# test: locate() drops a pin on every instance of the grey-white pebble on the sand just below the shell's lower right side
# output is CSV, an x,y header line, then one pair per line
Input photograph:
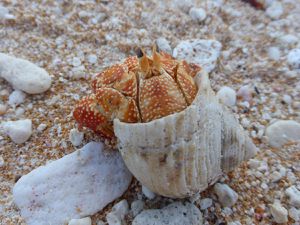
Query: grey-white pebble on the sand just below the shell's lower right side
x,y
226,196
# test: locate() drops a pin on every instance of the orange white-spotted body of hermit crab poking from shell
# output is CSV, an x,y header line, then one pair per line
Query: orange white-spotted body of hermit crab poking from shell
x,y
139,90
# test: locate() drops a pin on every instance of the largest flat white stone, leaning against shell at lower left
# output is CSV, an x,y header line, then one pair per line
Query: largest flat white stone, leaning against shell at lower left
x,y
81,183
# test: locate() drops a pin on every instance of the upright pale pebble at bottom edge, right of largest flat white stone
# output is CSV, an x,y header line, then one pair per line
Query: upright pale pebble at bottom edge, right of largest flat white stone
x,y
116,216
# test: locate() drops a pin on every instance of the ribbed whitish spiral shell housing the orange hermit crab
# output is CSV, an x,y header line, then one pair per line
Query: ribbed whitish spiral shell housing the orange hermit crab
x,y
183,153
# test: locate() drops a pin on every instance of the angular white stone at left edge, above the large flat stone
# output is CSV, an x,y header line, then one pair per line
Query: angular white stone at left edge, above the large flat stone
x,y
19,131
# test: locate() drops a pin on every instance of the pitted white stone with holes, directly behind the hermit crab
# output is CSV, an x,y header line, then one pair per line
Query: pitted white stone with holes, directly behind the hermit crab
x,y
199,51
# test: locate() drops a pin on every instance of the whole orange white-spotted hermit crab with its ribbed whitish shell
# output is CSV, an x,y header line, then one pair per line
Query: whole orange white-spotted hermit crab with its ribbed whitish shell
x,y
172,132
